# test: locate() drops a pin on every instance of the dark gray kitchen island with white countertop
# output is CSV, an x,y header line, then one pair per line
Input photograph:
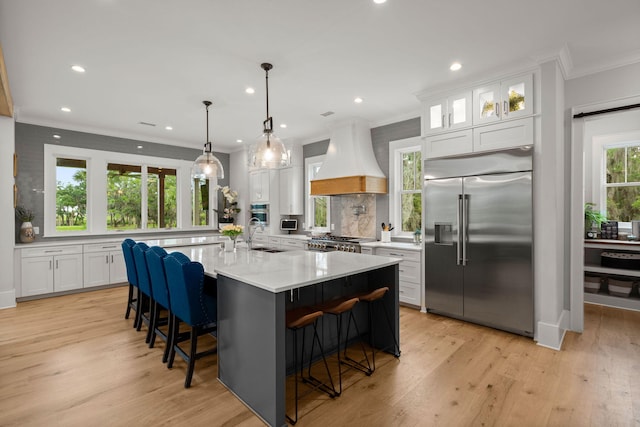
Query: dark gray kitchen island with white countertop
x,y
255,289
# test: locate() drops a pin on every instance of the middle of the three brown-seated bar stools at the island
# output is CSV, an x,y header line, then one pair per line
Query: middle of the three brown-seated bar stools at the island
x,y
338,308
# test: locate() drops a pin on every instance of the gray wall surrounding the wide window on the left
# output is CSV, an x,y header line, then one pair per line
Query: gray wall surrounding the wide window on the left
x,y
30,141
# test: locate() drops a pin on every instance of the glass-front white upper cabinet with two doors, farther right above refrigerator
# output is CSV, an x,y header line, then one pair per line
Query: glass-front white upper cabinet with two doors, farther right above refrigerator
x,y
503,100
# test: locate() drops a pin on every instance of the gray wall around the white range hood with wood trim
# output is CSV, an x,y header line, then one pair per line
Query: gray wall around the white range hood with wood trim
x,y
380,137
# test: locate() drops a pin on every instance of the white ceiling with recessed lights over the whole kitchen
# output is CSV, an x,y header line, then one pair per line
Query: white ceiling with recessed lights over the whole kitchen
x,y
156,60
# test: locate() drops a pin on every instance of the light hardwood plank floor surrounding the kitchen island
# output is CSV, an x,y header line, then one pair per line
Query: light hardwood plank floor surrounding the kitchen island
x,y
75,361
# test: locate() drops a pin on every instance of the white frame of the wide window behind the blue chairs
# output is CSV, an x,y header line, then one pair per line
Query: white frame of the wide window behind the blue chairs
x,y
97,161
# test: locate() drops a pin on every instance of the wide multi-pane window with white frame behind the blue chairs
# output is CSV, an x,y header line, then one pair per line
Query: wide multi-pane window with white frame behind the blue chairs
x,y
97,192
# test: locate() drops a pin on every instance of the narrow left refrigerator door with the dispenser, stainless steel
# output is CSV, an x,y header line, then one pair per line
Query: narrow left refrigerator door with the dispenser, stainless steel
x,y
443,274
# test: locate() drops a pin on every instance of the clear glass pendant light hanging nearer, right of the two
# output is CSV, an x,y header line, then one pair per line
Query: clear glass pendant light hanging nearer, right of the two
x,y
269,151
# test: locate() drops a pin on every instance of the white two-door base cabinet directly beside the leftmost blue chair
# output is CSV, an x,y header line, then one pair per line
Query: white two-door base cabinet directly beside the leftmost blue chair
x,y
103,264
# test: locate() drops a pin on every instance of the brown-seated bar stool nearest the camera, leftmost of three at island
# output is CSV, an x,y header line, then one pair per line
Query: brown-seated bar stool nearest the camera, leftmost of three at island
x,y
297,319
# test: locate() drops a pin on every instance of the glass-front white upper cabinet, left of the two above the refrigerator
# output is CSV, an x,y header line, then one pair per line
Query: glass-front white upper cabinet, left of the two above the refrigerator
x,y
447,113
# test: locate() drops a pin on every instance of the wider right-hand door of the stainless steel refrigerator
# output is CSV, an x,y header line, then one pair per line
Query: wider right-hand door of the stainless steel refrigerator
x,y
498,286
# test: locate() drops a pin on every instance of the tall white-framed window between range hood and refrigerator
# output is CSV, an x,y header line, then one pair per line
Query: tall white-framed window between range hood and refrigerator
x,y
405,197
